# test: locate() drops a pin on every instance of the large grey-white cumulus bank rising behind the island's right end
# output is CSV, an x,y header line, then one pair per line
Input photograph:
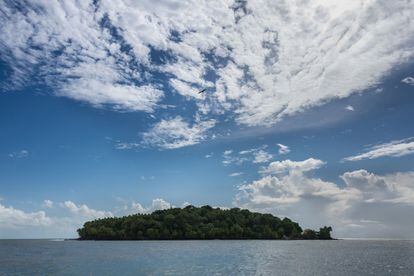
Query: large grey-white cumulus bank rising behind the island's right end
x,y
367,205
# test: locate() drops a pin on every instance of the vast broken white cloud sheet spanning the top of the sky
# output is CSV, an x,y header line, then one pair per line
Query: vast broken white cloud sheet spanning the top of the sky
x,y
270,59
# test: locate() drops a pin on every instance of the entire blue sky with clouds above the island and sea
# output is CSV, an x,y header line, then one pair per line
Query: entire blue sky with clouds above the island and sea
x,y
307,113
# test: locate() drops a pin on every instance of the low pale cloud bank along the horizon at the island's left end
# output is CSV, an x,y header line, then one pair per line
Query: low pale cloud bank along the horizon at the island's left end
x,y
67,217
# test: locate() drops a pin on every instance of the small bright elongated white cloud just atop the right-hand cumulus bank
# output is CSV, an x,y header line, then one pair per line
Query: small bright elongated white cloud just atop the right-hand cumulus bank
x,y
285,166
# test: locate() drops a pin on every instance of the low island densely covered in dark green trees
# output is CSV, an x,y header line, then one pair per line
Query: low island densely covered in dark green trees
x,y
198,223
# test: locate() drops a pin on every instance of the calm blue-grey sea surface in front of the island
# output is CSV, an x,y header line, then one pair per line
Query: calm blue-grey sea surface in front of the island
x,y
342,257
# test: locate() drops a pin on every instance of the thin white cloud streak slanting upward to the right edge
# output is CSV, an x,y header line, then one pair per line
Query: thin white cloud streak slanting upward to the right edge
x,y
395,148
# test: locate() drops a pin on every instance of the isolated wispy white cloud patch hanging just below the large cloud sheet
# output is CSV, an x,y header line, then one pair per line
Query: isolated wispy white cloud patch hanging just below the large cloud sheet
x,y
176,133
